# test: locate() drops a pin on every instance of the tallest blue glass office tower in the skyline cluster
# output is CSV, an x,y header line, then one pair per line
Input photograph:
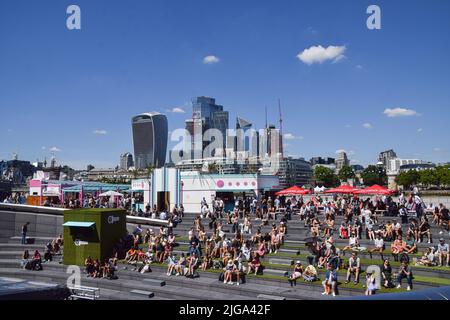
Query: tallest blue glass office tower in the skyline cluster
x,y
206,114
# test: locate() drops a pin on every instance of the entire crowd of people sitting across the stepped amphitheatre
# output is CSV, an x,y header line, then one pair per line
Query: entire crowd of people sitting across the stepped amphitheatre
x,y
235,243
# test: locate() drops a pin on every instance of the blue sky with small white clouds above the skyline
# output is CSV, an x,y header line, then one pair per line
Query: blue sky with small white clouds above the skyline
x,y
76,91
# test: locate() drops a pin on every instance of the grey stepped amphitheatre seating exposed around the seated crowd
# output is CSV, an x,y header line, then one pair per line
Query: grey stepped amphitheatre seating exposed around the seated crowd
x,y
271,285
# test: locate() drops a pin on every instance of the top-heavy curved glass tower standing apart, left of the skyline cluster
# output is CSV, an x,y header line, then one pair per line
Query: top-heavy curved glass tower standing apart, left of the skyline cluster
x,y
150,134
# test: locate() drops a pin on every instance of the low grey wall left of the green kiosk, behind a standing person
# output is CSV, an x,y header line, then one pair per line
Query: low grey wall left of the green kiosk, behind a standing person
x,y
41,225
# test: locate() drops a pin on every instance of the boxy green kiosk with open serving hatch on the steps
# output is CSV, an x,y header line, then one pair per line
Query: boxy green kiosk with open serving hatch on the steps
x,y
92,232
